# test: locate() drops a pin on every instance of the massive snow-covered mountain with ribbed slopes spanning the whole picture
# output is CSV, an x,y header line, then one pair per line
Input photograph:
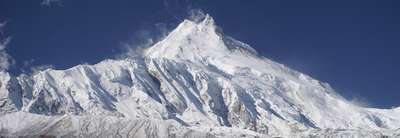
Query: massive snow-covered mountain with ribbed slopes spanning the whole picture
x,y
196,82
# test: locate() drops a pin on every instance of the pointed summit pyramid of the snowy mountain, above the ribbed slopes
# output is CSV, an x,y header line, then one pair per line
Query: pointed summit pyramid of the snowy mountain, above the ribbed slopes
x,y
191,40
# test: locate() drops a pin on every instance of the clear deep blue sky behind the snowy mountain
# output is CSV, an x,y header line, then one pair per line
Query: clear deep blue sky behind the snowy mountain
x,y
352,44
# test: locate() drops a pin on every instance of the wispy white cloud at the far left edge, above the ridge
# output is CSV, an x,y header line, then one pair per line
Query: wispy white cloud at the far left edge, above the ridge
x,y
6,61
